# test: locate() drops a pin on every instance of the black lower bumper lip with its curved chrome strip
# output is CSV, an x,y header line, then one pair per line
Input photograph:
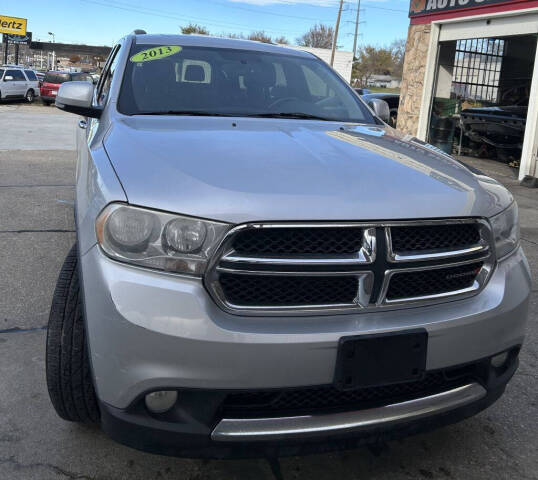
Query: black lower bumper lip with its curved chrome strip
x,y
196,436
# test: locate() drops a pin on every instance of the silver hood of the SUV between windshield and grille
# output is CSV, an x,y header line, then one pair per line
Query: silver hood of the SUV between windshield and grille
x,y
247,169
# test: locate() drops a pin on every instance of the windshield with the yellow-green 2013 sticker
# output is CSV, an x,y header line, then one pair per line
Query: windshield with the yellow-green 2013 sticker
x,y
217,81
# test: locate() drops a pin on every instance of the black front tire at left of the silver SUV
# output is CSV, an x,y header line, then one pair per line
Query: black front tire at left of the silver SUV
x,y
69,377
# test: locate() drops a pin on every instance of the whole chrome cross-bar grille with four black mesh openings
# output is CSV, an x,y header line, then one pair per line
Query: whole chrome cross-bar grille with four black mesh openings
x,y
335,267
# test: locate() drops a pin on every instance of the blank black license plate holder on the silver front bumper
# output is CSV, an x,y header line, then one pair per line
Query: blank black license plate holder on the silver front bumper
x,y
381,359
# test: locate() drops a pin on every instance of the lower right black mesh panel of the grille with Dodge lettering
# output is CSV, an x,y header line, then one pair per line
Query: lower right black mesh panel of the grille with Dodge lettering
x,y
431,282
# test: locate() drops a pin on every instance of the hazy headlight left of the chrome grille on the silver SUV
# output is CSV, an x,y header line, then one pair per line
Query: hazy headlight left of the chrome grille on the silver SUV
x,y
158,240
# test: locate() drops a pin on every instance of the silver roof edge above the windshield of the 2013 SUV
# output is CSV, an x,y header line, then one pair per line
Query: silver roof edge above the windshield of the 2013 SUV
x,y
217,42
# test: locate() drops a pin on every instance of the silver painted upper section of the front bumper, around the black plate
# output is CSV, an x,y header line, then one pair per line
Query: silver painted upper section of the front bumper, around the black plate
x,y
148,331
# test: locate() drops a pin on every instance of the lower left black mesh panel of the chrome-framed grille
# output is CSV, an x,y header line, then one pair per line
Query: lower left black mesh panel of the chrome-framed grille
x,y
269,290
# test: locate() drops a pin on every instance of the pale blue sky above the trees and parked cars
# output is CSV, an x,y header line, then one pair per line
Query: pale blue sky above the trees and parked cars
x,y
103,22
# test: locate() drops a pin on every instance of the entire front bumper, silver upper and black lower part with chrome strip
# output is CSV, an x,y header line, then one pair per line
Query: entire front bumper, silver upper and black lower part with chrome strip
x,y
152,331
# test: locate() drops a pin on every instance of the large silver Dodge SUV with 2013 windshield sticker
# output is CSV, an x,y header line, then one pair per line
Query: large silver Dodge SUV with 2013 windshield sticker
x,y
263,265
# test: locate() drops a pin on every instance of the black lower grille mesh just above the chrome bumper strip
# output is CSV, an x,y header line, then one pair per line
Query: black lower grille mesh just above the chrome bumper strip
x,y
329,397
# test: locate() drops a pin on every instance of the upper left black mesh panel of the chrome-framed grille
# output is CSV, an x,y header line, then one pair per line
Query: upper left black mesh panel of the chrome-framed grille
x,y
292,241
